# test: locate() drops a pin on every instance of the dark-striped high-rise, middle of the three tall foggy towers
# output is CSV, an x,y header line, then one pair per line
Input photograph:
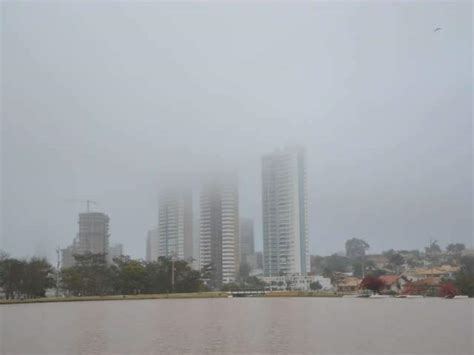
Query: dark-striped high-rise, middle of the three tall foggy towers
x,y
219,229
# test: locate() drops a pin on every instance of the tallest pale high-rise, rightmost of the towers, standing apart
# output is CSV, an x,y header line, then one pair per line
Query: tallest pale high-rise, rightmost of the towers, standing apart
x,y
285,210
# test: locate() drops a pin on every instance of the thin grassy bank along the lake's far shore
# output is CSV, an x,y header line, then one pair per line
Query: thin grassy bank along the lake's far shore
x,y
166,296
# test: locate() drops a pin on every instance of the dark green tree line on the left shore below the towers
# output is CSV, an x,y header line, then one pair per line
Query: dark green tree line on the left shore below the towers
x,y
93,276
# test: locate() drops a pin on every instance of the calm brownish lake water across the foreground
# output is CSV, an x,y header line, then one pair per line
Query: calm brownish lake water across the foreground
x,y
242,325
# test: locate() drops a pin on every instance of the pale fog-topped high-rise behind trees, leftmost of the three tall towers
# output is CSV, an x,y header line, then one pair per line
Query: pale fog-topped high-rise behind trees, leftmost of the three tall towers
x,y
175,225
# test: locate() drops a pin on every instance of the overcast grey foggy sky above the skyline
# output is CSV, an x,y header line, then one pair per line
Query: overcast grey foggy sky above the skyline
x,y
101,99
